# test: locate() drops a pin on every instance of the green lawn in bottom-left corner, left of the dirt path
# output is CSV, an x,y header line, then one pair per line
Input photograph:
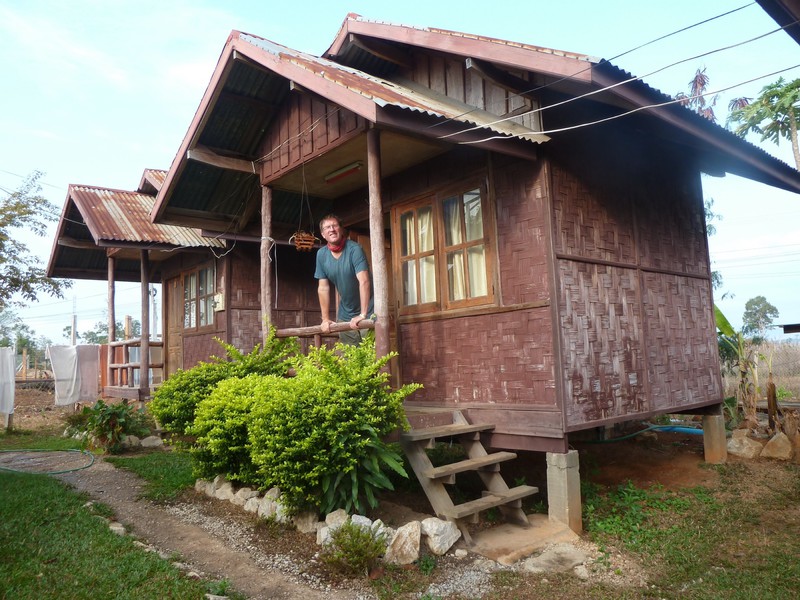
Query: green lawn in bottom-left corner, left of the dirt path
x,y
52,545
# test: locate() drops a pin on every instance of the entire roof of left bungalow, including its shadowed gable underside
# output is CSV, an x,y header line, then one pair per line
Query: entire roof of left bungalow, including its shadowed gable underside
x,y
100,222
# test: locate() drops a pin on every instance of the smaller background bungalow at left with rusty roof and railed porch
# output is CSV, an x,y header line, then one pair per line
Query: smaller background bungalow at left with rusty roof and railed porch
x,y
107,234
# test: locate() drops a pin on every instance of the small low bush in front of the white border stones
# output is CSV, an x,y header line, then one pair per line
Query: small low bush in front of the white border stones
x,y
354,549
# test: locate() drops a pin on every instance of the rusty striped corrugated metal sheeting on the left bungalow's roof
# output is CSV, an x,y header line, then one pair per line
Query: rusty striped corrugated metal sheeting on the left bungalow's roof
x,y
121,216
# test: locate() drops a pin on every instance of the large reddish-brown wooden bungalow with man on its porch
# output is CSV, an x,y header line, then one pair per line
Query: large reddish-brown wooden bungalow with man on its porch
x,y
534,218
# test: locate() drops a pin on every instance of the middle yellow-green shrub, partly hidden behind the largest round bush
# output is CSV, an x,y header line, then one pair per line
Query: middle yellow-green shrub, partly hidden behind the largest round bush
x,y
221,426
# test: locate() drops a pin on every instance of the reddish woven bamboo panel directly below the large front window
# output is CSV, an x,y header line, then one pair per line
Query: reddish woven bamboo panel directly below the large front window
x,y
485,359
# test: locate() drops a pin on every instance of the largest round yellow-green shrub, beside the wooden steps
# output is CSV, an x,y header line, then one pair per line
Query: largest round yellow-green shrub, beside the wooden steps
x,y
319,435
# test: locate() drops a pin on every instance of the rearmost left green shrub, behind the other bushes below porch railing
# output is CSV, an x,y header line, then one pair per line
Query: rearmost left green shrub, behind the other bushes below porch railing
x,y
175,402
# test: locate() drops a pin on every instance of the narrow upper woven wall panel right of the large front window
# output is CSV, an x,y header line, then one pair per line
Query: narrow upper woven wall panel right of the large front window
x,y
522,250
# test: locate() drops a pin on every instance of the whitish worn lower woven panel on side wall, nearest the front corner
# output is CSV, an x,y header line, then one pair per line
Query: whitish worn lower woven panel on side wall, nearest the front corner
x,y
601,325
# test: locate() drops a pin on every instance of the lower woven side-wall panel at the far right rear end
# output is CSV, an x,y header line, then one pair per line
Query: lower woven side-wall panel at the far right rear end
x,y
682,355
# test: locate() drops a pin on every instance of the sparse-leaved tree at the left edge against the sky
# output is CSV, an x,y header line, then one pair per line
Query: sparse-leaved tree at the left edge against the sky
x,y
20,272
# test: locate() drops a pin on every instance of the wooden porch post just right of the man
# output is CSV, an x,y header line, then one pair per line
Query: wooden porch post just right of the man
x,y
380,277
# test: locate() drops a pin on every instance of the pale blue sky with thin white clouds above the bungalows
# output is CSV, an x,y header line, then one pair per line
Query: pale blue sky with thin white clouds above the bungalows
x,y
96,91
